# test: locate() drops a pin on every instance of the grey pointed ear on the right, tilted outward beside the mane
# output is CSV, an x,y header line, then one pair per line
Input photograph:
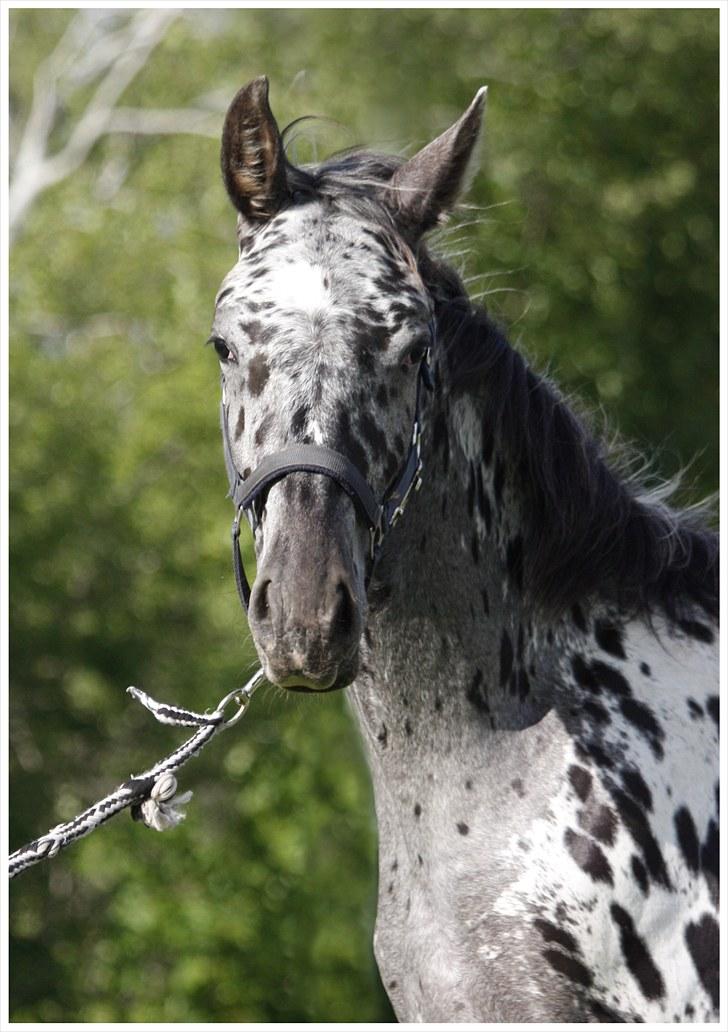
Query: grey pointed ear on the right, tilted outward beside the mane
x,y
426,188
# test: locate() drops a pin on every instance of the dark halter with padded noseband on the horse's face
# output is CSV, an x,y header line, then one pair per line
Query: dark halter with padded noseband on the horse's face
x,y
381,518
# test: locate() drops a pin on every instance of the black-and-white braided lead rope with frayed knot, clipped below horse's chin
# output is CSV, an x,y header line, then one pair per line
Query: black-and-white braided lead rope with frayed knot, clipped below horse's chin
x,y
152,796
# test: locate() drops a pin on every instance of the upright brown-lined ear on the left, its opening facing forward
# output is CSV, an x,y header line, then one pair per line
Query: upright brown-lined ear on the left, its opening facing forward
x,y
255,167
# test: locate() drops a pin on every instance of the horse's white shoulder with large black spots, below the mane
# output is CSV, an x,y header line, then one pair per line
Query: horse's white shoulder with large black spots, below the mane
x,y
625,880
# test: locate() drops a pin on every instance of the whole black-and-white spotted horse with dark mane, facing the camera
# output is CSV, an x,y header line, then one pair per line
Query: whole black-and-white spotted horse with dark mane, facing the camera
x,y
530,651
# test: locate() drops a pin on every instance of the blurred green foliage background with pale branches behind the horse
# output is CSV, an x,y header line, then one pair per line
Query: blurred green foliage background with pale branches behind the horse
x,y
594,239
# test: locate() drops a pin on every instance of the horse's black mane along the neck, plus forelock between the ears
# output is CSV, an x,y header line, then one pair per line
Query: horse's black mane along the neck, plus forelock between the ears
x,y
592,528
